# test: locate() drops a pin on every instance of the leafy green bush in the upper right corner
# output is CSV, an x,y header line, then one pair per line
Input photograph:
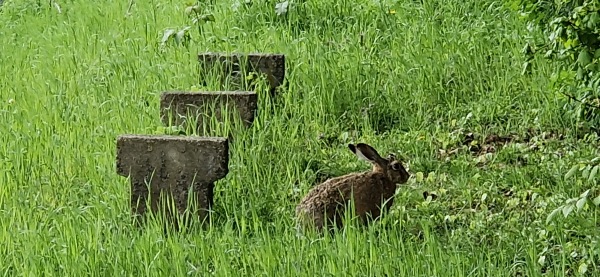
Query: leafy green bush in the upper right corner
x,y
571,30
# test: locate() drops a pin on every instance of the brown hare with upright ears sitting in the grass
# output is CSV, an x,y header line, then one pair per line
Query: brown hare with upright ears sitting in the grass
x,y
327,202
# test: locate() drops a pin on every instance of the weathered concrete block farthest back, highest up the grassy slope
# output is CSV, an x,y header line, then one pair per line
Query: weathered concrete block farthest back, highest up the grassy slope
x,y
235,67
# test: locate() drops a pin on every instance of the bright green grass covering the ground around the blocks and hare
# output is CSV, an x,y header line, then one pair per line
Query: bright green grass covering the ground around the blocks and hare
x,y
412,81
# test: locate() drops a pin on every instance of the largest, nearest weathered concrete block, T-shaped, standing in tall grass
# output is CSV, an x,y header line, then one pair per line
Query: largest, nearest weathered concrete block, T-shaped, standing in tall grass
x,y
169,166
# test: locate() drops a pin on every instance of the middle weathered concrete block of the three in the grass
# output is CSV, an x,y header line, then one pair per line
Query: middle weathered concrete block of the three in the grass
x,y
177,106
